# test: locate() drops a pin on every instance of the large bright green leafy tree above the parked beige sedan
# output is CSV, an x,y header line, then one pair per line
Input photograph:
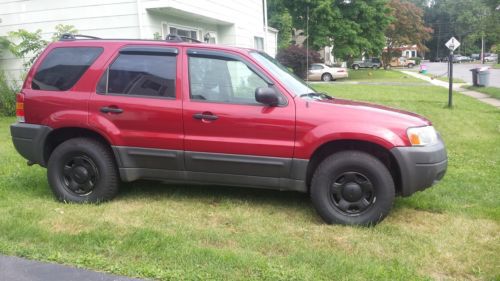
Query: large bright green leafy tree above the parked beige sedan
x,y
352,27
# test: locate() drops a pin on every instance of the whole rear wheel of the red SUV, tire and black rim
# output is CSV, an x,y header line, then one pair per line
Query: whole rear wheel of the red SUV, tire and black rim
x,y
83,170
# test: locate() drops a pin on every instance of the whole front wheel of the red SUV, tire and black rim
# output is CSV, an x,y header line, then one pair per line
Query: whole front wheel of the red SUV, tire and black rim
x,y
352,188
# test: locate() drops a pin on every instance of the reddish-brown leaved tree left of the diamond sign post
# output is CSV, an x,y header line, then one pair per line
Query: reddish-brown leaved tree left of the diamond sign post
x,y
408,28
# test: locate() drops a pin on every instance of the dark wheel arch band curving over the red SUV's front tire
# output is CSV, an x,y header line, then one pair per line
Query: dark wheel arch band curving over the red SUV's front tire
x,y
378,151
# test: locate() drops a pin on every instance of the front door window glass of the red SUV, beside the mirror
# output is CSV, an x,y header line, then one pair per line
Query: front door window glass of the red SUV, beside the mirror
x,y
220,80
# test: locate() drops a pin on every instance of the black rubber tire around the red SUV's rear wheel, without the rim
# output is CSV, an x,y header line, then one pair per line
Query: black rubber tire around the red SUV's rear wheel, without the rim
x,y
106,182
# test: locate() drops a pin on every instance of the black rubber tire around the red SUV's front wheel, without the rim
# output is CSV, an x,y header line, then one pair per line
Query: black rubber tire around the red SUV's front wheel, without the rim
x,y
365,164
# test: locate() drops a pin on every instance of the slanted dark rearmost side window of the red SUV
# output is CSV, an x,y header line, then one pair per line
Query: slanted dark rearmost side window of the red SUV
x,y
63,67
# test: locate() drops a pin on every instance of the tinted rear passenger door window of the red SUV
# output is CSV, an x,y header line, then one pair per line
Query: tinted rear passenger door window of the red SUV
x,y
140,74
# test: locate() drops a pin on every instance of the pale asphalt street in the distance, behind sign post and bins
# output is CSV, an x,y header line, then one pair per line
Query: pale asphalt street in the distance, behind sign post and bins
x,y
462,71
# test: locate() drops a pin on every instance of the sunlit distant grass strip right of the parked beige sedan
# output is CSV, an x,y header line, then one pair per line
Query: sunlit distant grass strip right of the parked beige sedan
x,y
380,76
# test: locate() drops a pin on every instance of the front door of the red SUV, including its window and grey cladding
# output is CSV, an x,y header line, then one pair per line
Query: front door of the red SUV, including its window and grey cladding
x,y
226,130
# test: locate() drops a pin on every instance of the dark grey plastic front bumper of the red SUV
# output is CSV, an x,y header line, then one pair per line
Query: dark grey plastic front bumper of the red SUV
x,y
420,167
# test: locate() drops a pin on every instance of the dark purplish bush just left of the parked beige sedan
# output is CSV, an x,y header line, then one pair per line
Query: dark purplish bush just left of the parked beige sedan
x,y
295,57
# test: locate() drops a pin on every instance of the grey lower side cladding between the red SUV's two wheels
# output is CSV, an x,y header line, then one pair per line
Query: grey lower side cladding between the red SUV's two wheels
x,y
211,168
